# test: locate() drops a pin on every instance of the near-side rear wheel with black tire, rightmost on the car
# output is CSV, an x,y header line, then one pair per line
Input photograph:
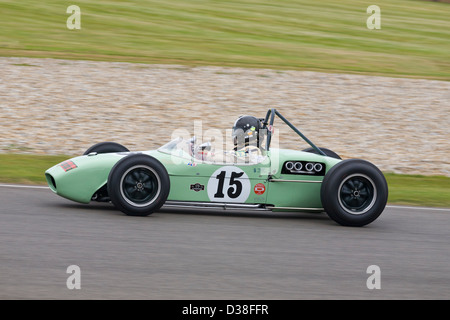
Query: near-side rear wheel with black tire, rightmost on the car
x,y
354,192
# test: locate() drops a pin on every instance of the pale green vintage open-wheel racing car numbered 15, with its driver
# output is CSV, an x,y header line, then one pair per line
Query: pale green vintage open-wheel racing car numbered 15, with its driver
x,y
252,176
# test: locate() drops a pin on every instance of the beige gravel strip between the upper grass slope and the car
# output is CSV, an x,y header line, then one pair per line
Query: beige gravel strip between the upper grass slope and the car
x,y
50,106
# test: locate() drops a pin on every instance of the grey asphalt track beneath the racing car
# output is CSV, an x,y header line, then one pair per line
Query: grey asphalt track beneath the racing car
x,y
215,255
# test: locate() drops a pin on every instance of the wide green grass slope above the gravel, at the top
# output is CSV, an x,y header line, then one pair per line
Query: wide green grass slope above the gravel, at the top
x,y
285,34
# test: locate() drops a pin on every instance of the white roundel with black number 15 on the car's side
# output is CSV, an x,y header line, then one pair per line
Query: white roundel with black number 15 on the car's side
x,y
229,184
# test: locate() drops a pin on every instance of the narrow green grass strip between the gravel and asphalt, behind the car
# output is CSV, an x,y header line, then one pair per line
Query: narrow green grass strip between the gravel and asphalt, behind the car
x,y
403,189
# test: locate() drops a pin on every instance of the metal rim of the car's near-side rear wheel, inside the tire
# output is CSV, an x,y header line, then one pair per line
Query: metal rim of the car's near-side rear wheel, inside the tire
x,y
357,194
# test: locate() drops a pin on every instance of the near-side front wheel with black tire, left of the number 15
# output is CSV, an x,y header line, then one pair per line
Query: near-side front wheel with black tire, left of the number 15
x,y
138,185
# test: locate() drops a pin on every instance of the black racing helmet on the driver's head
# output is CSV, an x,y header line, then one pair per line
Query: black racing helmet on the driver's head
x,y
246,131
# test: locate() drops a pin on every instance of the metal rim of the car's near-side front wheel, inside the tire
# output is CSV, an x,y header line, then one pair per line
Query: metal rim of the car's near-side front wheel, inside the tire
x,y
140,186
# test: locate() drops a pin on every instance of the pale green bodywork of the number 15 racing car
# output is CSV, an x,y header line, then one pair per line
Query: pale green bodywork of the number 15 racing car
x,y
193,180
